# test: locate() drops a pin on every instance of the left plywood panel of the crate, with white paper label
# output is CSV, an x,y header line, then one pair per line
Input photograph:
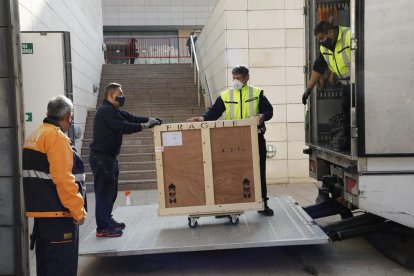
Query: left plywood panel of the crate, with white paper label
x,y
184,172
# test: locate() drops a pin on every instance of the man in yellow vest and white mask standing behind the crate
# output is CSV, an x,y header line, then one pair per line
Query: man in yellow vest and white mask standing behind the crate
x,y
241,102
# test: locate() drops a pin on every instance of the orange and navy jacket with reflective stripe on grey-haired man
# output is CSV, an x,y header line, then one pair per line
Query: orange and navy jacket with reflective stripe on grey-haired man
x,y
53,174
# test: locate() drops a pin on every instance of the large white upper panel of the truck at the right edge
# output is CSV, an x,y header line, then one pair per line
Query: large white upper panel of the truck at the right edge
x,y
385,77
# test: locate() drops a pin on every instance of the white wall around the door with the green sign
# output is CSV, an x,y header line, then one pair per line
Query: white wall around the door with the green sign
x,y
83,19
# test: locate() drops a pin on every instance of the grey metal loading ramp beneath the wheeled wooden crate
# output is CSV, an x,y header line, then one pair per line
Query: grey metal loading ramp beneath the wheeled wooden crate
x,y
148,233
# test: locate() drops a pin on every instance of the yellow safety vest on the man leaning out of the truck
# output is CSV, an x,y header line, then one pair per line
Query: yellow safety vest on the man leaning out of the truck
x,y
340,61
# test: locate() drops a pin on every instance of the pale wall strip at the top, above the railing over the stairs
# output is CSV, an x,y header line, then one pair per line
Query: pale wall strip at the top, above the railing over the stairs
x,y
156,12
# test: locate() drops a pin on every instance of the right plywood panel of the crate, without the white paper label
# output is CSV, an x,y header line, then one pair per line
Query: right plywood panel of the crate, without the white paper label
x,y
231,152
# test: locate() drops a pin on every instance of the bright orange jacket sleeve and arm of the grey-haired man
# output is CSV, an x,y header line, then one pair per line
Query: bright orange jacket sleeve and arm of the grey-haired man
x,y
60,157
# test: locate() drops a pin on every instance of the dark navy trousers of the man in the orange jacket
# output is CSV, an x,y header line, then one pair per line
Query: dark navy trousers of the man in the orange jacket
x,y
57,246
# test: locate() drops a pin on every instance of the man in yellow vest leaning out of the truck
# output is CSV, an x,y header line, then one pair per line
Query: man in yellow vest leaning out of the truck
x,y
336,55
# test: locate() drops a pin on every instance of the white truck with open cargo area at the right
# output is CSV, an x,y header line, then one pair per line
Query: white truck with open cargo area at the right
x,y
376,174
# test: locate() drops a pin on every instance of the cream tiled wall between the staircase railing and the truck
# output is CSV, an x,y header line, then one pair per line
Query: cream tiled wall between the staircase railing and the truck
x,y
268,37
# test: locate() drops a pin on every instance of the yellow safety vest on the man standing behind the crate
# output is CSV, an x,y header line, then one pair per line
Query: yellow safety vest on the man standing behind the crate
x,y
241,104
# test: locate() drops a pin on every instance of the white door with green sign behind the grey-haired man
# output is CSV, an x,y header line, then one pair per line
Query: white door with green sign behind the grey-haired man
x,y
46,66
